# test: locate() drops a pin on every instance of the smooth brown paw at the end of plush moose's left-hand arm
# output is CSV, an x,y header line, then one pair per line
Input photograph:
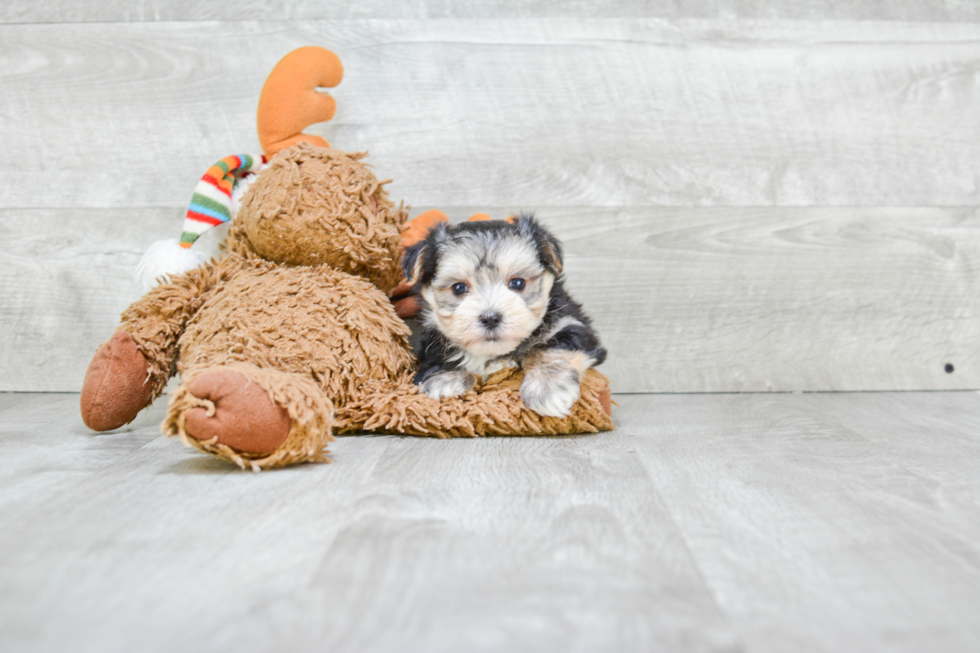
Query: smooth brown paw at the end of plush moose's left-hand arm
x,y
116,384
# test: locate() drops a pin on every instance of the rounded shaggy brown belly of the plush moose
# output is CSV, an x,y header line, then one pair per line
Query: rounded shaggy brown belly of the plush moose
x,y
336,328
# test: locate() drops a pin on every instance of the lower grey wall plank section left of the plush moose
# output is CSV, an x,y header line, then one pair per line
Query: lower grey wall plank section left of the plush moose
x,y
65,279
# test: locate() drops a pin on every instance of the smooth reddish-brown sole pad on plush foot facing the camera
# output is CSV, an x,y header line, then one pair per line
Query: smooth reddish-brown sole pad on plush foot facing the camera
x,y
244,417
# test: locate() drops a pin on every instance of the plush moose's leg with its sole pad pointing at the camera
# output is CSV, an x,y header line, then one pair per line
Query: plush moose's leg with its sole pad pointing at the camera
x,y
257,418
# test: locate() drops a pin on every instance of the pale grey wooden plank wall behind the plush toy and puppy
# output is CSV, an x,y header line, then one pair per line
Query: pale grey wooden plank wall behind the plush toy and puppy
x,y
752,197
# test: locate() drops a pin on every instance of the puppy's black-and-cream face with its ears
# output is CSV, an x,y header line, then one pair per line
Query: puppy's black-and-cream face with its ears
x,y
487,284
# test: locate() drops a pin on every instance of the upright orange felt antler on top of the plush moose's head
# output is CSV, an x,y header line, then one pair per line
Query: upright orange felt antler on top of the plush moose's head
x,y
289,101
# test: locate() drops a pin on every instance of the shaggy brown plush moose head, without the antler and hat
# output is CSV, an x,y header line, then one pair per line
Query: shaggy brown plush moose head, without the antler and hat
x,y
314,206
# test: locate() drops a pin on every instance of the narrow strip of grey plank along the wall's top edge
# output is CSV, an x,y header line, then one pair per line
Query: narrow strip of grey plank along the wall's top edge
x,y
63,11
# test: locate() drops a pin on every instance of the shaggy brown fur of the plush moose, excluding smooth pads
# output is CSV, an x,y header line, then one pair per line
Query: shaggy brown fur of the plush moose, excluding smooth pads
x,y
300,308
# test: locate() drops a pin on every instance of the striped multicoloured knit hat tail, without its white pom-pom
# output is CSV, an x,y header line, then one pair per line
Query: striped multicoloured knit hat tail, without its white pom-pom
x,y
211,203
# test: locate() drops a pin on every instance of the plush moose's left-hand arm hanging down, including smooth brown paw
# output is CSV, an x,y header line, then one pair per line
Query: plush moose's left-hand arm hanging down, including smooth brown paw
x,y
131,370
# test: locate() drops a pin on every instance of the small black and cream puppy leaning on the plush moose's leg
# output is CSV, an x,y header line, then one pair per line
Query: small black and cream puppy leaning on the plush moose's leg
x,y
493,298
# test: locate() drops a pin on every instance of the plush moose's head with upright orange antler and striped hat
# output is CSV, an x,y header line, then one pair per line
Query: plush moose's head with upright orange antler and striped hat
x,y
302,202
